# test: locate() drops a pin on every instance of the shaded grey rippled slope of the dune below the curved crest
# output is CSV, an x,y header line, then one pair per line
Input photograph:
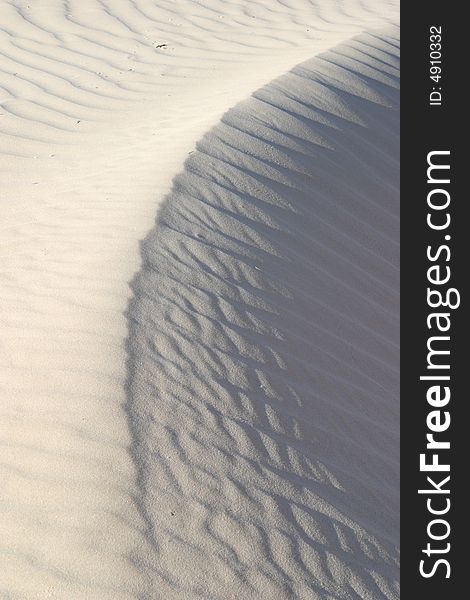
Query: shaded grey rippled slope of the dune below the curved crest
x,y
263,370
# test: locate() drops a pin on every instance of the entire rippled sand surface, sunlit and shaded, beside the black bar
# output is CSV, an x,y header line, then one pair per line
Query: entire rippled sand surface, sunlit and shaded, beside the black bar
x,y
270,431
